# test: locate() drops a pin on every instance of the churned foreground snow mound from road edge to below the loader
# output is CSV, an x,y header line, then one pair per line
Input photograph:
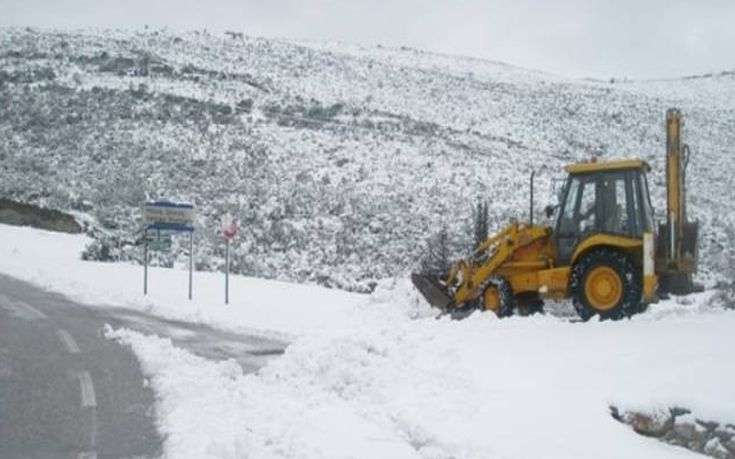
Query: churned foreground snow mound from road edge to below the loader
x,y
406,385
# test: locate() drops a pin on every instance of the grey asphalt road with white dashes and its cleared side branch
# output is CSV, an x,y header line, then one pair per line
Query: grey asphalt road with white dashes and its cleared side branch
x,y
67,392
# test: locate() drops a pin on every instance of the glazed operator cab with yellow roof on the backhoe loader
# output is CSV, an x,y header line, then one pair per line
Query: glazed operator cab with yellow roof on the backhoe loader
x,y
602,198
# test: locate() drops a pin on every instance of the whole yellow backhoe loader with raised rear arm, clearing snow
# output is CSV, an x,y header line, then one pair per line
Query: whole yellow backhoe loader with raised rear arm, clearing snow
x,y
603,251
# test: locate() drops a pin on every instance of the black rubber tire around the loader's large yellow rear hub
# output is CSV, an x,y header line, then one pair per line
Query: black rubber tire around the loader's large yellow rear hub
x,y
629,274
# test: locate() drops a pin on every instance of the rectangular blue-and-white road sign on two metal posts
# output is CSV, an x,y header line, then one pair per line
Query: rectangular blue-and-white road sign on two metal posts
x,y
163,218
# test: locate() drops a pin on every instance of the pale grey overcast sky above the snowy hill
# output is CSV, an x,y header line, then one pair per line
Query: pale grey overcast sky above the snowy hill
x,y
593,38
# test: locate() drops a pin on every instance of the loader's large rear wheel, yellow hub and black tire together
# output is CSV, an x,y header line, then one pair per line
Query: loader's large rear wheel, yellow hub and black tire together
x,y
605,282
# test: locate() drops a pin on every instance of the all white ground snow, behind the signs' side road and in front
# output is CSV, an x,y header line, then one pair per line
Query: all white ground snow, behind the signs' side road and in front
x,y
379,376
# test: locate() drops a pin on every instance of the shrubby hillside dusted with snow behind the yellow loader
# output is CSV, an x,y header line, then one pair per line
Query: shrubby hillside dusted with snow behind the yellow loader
x,y
338,159
